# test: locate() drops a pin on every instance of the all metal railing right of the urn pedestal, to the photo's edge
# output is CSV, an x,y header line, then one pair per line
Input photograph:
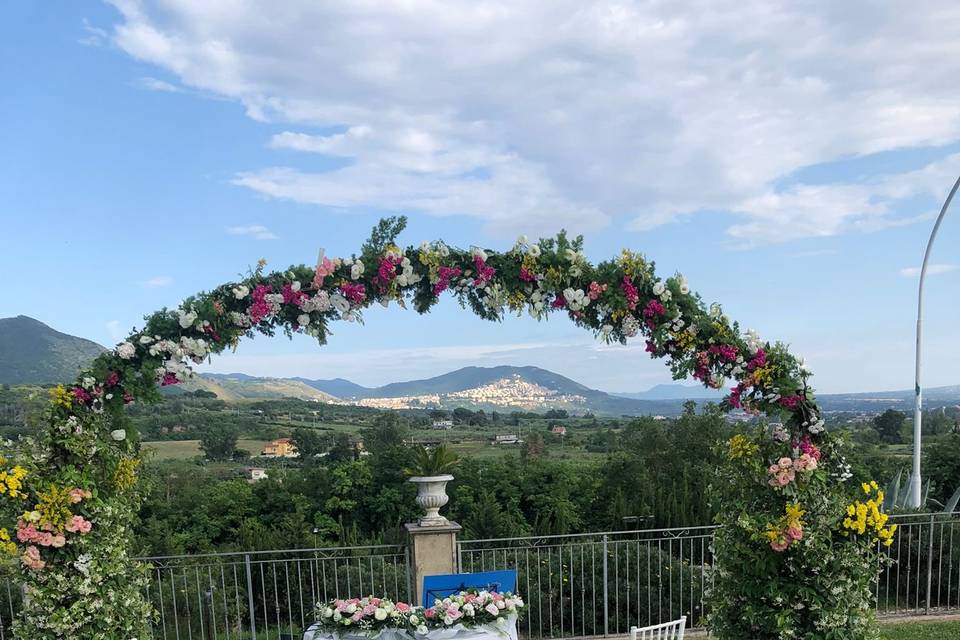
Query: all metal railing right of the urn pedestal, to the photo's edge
x,y
601,584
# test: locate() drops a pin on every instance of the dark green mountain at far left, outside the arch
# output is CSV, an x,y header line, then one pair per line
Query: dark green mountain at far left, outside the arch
x,y
33,353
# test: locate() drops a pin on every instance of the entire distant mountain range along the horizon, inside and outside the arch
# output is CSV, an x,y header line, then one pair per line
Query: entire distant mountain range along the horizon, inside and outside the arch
x,y
33,353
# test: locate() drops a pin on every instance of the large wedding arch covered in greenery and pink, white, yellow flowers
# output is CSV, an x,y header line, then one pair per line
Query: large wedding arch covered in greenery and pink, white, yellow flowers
x,y
74,491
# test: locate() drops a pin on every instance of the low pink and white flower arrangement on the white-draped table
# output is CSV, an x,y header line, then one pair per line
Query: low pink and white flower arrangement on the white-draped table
x,y
371,616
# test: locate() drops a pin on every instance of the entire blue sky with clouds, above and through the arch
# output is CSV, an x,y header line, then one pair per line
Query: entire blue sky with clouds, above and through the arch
x,y
788,164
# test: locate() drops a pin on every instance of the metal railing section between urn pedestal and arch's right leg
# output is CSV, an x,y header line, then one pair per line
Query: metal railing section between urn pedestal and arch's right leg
x,y
601,584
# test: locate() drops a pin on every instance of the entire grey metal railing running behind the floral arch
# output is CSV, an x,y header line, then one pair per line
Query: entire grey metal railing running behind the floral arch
x,y
578,585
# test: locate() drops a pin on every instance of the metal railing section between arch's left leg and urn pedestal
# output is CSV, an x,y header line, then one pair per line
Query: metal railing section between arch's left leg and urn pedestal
x,y
266,595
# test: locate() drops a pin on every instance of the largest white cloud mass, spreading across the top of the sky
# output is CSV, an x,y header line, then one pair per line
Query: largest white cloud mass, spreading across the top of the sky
x,y
551,113
